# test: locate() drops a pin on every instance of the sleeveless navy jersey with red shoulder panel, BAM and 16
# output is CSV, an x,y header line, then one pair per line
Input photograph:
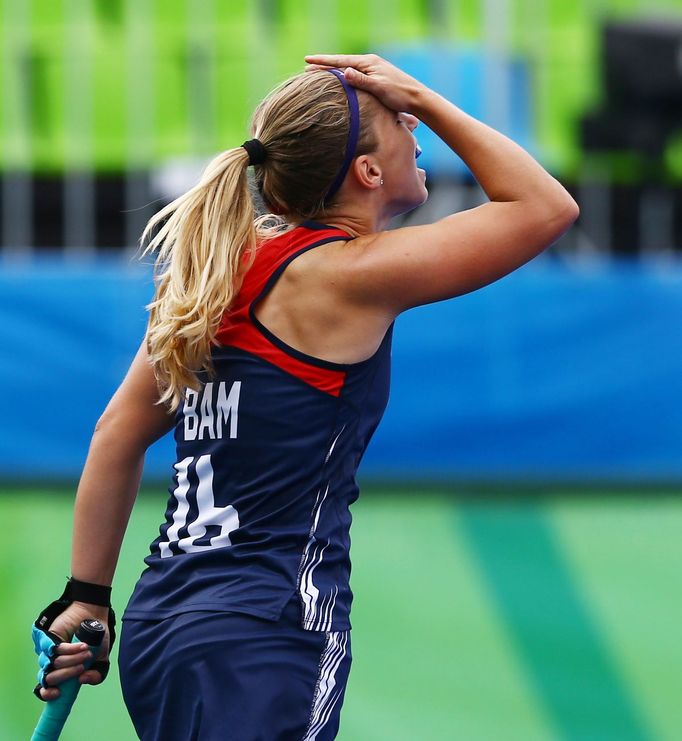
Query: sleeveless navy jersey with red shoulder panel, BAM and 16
x,y
267,453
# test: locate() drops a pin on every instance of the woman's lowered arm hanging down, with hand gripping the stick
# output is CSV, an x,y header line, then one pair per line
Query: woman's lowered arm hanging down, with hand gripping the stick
x,y
106,493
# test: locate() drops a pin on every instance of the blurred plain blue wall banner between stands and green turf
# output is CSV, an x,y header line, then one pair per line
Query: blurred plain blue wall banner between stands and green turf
x,y
551,373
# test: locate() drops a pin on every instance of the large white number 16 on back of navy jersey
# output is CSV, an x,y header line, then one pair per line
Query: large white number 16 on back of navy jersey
x,y
225,518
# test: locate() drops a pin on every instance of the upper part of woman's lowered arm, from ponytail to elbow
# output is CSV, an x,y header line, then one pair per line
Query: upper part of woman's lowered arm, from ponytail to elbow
x,y
132,418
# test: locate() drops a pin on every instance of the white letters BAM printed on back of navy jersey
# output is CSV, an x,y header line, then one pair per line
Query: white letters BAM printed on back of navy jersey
x,y
206,417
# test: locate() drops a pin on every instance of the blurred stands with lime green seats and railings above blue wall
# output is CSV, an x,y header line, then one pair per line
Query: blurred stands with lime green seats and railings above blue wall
x,y
112,107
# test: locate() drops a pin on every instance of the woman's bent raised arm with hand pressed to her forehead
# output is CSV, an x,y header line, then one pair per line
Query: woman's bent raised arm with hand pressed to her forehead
x,y
528,208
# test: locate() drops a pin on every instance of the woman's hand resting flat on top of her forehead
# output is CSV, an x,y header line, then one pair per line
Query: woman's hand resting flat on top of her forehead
x,y
393,87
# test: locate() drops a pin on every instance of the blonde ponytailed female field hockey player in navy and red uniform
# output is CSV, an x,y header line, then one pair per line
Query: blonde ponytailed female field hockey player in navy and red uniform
x,y
268,351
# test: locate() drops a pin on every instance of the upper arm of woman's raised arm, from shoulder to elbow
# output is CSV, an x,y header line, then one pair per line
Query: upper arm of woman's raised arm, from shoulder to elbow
x,y
408,267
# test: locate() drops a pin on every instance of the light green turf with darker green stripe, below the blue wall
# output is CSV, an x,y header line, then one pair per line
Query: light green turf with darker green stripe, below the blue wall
x,y
548,618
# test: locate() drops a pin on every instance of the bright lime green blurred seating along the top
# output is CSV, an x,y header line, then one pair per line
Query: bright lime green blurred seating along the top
x,y
117,82
